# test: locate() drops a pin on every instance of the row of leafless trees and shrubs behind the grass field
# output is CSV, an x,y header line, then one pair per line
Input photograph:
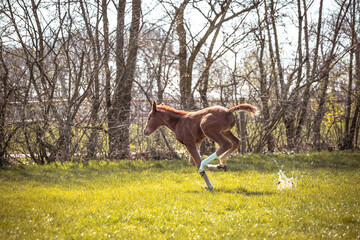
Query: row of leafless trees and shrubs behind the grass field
x,y
77,77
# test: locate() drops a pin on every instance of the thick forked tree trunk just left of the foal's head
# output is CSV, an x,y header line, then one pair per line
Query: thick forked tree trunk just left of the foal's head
x,y
119,122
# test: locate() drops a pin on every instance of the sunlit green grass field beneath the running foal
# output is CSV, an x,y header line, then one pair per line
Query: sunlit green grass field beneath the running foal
x,y
164,200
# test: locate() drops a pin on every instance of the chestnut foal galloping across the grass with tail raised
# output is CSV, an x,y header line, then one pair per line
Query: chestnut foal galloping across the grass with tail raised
x,y
191,128
